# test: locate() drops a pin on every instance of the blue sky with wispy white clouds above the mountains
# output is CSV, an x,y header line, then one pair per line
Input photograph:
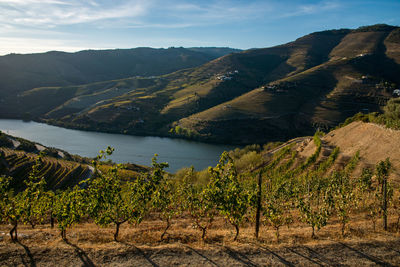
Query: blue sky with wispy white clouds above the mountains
x,y
31,26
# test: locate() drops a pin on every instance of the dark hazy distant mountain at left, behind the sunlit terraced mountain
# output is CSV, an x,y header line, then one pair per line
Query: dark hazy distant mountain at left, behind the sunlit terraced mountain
x,y
21,72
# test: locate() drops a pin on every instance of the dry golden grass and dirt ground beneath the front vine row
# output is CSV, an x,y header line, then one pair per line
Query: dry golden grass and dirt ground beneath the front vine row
x,y
89,245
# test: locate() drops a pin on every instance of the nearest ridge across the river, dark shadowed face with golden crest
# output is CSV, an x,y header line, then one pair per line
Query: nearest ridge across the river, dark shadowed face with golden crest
x,y
321,96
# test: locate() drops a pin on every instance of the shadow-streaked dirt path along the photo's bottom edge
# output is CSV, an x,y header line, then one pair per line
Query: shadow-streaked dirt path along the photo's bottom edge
x,y
331,253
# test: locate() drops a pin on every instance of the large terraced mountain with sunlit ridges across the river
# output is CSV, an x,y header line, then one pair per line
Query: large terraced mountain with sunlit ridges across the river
x,y
254,96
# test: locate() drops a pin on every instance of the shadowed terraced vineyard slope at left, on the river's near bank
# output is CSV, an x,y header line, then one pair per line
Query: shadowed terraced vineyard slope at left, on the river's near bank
x,y
59,168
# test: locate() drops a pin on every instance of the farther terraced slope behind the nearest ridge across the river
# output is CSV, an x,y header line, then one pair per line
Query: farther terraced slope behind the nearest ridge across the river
x,y
185,92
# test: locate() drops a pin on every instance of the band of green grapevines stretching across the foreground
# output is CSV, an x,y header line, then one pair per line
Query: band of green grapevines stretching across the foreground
x,y
277,194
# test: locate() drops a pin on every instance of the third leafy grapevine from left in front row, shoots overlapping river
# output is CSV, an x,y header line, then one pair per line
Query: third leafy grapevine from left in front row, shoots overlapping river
x,y
111,201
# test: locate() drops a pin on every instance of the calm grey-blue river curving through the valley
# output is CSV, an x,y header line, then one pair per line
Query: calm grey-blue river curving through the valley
x,y
136,149
